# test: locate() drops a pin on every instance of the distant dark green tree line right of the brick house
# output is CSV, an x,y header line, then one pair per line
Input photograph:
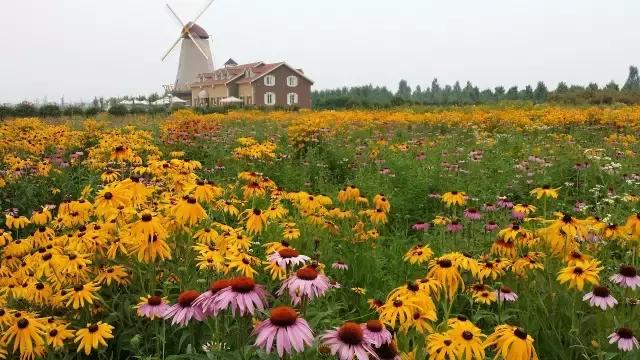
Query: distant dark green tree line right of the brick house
x,y
370,96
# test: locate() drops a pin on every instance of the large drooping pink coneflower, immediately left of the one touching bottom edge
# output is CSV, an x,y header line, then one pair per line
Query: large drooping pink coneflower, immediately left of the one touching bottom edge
x,y
289,332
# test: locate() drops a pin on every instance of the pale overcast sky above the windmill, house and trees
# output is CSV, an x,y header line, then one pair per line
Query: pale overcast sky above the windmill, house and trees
x,y
85,48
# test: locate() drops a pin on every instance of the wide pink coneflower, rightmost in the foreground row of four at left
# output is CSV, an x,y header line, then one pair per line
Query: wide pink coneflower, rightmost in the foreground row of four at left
x,y
243,295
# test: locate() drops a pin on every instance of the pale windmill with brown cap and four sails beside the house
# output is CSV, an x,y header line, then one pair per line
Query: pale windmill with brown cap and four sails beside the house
x,y
195,54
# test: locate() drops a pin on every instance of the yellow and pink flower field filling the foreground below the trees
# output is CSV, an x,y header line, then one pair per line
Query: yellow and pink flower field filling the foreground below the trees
x,y
450,233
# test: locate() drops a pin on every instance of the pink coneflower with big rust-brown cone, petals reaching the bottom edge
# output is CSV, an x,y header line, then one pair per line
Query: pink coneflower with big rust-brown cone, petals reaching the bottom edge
x,y
347,342
